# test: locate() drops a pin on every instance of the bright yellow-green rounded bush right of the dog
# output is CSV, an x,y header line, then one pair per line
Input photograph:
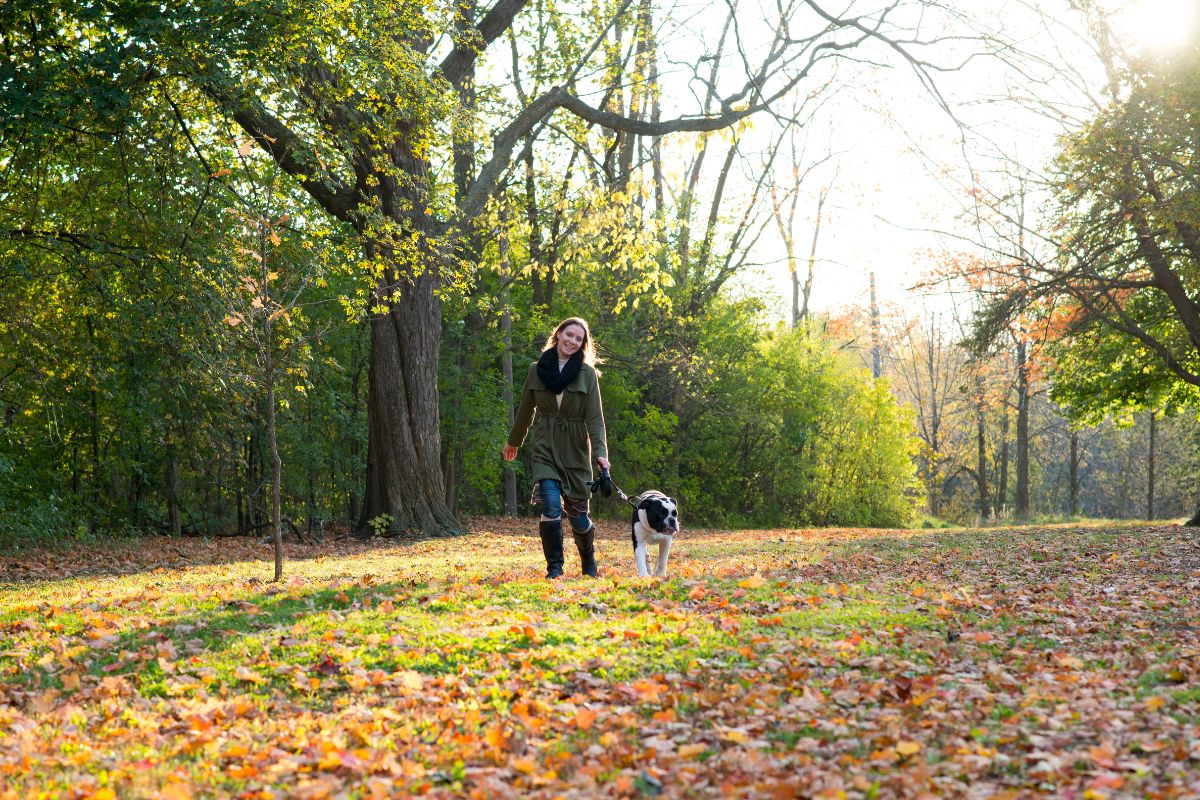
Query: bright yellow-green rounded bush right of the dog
x,y
797,435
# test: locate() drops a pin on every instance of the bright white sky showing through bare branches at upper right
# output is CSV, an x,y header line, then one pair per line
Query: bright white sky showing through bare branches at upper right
x,y
903,163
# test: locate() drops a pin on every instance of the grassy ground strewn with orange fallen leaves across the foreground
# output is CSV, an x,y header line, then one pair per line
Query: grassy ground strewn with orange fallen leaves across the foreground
x,y
789,663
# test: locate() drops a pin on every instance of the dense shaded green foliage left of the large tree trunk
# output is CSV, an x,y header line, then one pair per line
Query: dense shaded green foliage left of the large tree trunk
x,y
117,359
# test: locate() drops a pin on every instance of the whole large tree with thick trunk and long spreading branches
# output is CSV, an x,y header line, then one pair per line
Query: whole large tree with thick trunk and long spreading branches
x,y
352,101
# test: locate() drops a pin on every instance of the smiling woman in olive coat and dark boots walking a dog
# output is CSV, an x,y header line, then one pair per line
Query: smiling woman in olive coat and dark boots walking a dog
x,y
562,390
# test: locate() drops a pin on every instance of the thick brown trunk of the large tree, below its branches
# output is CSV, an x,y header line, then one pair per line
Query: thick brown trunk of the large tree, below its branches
x,y
406,492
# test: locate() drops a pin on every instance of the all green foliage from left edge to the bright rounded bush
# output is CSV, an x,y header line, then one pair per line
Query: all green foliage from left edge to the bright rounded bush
x,y
130,360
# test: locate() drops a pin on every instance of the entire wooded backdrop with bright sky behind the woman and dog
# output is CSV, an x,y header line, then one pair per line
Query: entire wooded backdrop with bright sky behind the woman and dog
x,y
278,264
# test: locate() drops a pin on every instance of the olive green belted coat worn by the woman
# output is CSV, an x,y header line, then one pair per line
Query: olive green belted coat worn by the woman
x,y
568,438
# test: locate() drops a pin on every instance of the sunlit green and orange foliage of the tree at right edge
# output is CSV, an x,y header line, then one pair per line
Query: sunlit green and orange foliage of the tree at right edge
x,y
1126,188
